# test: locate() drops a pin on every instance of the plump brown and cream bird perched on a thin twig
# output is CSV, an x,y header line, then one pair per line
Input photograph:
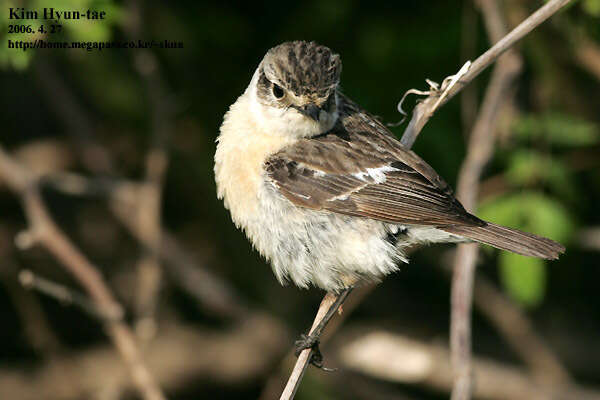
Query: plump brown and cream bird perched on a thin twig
x,y
324,191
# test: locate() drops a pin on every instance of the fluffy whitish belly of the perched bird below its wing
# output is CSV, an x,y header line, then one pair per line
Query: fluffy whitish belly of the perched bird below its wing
x,y
320,248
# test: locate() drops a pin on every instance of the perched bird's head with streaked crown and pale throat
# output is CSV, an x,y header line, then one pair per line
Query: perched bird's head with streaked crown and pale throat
x,y
294,89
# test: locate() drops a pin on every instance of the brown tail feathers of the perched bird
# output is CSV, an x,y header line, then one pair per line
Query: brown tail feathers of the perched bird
x,y
509,239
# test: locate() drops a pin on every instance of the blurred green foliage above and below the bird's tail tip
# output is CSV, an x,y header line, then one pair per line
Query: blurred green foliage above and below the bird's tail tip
x,y
528,170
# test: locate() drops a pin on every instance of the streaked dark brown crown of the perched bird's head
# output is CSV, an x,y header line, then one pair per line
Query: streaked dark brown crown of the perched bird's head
x,y
304,68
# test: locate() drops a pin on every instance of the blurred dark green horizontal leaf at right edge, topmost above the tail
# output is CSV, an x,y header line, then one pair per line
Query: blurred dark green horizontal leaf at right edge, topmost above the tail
x,y
558,129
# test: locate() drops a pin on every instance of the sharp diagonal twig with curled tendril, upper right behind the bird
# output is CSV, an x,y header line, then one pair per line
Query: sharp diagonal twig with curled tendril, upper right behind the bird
x,y
425,109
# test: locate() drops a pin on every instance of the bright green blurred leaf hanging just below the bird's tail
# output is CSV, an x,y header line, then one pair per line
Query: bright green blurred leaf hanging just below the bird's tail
x,y
524,278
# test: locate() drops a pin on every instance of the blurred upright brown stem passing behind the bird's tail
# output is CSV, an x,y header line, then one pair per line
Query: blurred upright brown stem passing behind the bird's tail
x,y
480,150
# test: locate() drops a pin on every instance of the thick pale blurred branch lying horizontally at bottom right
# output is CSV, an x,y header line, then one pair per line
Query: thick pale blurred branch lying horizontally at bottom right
x,y
400,359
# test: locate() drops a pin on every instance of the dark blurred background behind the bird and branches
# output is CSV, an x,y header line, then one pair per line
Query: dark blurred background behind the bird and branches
x,y
58,104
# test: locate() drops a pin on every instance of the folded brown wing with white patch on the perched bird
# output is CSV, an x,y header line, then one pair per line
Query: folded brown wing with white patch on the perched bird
x,y
360,169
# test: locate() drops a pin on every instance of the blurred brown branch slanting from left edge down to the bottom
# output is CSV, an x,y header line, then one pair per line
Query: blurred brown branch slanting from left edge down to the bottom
x,y
47,233
